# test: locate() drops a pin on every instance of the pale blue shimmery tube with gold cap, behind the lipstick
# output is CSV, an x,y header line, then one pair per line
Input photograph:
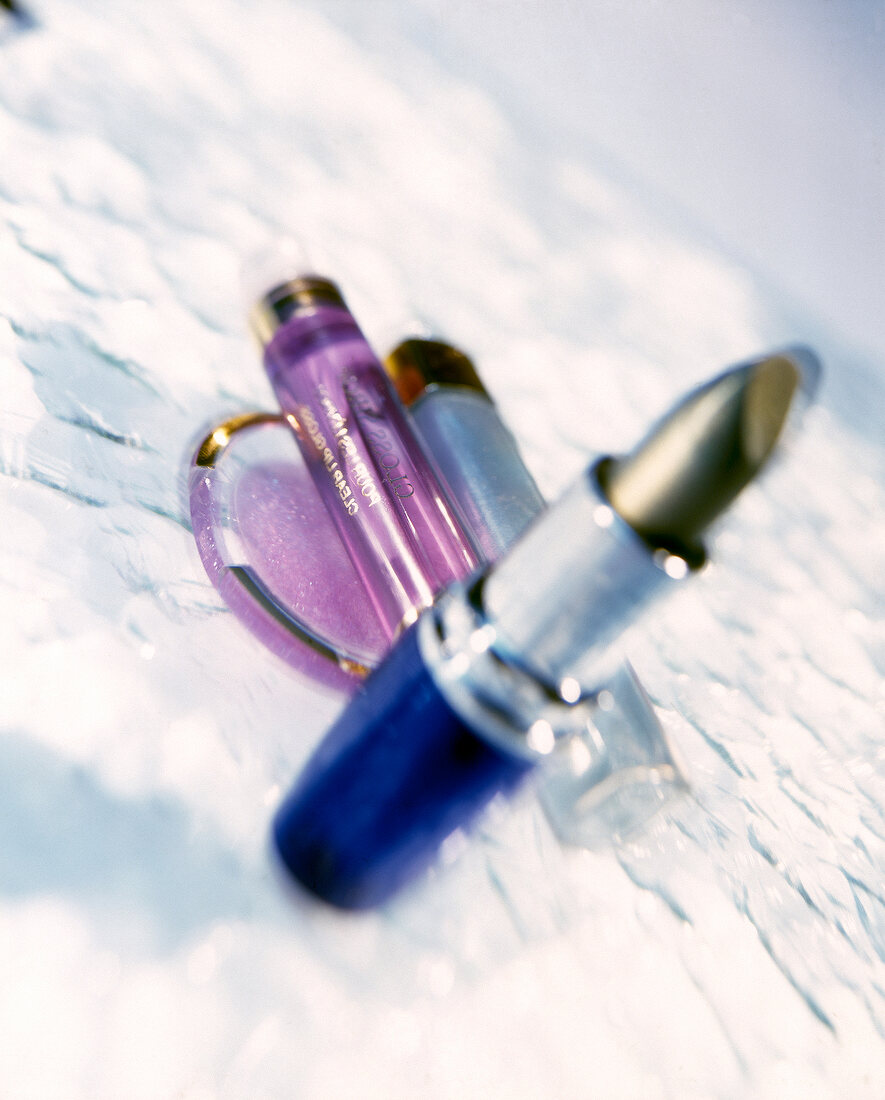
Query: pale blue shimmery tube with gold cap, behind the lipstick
x,y
473,452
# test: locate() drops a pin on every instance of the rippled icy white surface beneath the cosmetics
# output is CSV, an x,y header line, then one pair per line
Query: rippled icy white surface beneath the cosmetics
x,y
147,948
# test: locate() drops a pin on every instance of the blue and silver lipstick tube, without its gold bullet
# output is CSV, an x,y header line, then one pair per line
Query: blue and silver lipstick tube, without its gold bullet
x,y
475,696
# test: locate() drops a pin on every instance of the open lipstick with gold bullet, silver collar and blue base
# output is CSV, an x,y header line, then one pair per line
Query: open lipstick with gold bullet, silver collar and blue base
x,y
510,668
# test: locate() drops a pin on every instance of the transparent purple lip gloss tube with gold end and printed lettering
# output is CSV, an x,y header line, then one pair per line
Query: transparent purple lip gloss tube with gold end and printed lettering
x,y
385,500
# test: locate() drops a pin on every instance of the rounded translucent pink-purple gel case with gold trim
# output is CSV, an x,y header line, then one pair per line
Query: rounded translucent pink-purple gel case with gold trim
x,y
272,551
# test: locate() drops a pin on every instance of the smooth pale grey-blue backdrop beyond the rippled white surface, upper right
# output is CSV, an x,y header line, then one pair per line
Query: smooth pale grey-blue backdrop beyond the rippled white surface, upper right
x,y
760,126
